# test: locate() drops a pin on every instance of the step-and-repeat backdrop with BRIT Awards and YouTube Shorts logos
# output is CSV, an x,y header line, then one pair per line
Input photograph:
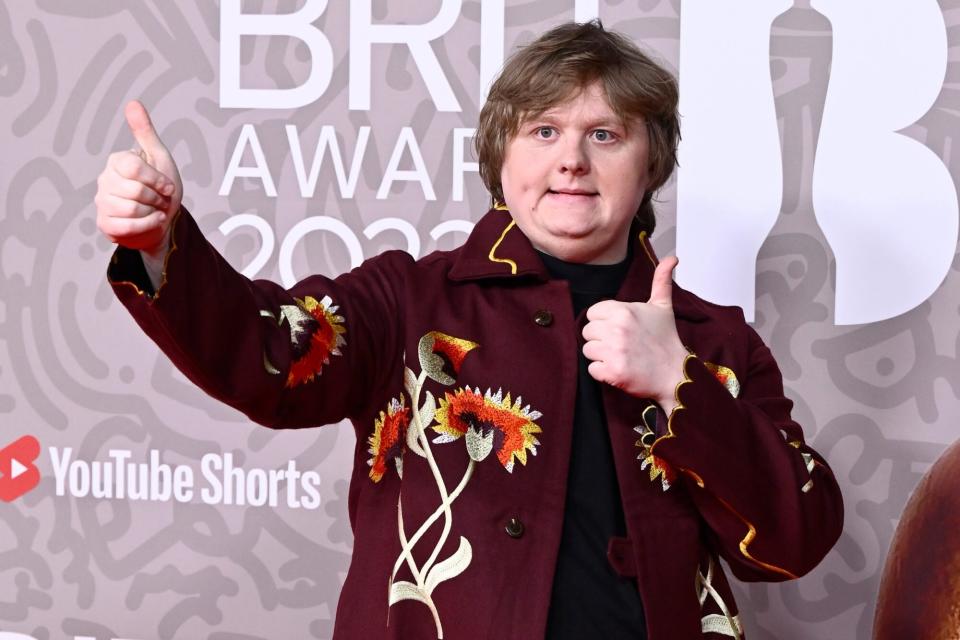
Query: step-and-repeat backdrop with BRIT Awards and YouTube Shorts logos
x,y
817,190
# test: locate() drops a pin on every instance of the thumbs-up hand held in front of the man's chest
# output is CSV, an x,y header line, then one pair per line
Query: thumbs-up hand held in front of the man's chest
x,y
634,346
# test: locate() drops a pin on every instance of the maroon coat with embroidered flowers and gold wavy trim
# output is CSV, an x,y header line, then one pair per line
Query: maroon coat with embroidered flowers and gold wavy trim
x,y
455,368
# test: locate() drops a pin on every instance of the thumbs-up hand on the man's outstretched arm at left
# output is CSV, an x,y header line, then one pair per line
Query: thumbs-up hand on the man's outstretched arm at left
x,y
139,191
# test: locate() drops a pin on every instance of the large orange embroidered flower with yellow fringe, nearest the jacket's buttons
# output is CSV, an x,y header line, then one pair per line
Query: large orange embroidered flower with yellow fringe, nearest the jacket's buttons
x,y
489,423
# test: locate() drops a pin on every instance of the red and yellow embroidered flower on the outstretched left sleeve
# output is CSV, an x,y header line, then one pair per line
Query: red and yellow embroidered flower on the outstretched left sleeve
x,y
316,333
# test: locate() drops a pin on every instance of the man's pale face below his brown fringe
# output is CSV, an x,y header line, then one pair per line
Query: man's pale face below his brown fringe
x,y
574,177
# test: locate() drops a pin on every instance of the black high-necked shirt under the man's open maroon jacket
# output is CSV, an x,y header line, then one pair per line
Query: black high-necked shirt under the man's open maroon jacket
x,y
589,599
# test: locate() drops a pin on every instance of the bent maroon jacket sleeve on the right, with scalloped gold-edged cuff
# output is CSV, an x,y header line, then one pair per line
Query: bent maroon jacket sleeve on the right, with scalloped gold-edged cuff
x,y
771,502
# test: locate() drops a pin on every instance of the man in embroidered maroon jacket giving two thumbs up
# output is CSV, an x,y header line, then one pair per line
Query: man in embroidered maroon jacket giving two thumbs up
x,y
553,439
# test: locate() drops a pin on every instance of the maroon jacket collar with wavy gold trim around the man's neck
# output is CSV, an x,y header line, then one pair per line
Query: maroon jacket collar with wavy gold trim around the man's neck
x,y
497,249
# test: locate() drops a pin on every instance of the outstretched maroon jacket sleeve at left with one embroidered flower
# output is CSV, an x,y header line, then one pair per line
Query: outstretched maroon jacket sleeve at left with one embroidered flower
x,y
286,358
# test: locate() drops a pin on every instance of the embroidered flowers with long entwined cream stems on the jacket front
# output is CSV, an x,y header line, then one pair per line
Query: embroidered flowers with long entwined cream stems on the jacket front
x,y
489,422
